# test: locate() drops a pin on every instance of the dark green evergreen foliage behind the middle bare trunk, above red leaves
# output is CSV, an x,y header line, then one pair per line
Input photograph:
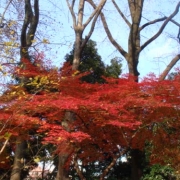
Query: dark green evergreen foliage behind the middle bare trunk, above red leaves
x,y
91,62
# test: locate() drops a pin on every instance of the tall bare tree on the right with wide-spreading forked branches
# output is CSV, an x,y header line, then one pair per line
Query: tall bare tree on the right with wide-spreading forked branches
x,y
135,46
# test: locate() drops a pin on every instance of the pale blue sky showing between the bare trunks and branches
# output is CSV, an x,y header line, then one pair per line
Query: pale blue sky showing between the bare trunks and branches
x,y
58,30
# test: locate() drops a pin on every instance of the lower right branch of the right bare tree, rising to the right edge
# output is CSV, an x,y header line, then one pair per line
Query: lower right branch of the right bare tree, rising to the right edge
x,y
162,27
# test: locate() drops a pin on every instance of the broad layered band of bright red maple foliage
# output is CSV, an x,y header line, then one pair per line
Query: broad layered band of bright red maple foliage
x,y
118,114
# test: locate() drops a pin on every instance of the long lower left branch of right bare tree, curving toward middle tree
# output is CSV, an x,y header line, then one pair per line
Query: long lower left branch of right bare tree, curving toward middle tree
x,y
113,41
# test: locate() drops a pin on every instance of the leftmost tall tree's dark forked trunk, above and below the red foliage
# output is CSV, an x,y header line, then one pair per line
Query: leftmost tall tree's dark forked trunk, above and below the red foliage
x,y
31,19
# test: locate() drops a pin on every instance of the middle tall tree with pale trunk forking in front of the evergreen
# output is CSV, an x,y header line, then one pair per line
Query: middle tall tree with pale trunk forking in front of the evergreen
x,y
79,27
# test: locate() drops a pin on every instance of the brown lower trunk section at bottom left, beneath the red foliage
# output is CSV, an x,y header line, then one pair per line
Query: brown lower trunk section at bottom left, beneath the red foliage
x,y
18,159
